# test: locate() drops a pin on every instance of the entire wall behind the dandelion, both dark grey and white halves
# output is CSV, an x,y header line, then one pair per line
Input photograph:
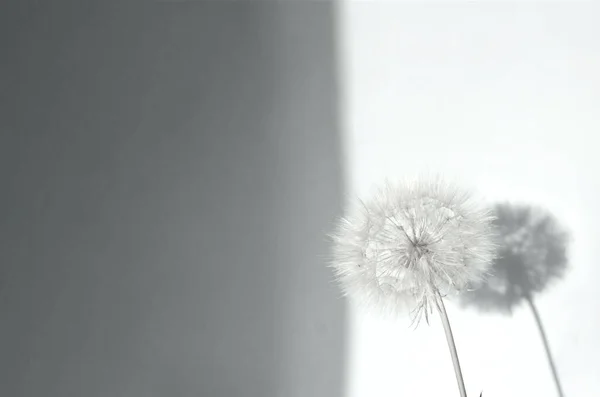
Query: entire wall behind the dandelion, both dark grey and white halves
x,y
170,170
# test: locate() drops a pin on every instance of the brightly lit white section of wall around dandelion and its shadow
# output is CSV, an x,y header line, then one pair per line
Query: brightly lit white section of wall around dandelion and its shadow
x,y
504,98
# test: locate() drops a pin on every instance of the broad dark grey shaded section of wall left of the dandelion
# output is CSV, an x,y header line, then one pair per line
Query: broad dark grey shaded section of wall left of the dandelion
x,y
169,171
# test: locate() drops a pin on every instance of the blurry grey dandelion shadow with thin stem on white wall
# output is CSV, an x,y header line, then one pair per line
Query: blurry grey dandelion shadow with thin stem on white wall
x,y
532,255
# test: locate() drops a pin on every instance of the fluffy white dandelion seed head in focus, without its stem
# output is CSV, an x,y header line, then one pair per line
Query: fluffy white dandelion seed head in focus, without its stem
x,y
411,241
